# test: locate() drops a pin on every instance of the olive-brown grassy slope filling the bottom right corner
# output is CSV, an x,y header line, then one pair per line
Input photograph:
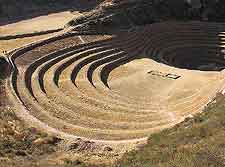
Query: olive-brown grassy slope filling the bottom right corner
x,y
197,142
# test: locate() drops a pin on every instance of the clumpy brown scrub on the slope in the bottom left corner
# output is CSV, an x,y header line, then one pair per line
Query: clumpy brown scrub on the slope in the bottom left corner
x,y
18,141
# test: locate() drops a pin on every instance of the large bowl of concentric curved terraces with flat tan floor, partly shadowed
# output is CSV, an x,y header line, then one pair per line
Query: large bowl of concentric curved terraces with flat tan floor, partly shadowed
x,y
119,89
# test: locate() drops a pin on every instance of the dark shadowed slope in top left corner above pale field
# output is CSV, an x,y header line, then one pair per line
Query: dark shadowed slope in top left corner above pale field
x,y
13,10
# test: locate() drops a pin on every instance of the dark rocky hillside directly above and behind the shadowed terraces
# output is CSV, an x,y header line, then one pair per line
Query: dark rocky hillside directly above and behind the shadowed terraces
x,y
114,14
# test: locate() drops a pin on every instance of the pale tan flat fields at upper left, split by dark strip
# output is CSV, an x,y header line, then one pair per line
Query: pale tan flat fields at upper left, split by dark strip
x,y
37,24
